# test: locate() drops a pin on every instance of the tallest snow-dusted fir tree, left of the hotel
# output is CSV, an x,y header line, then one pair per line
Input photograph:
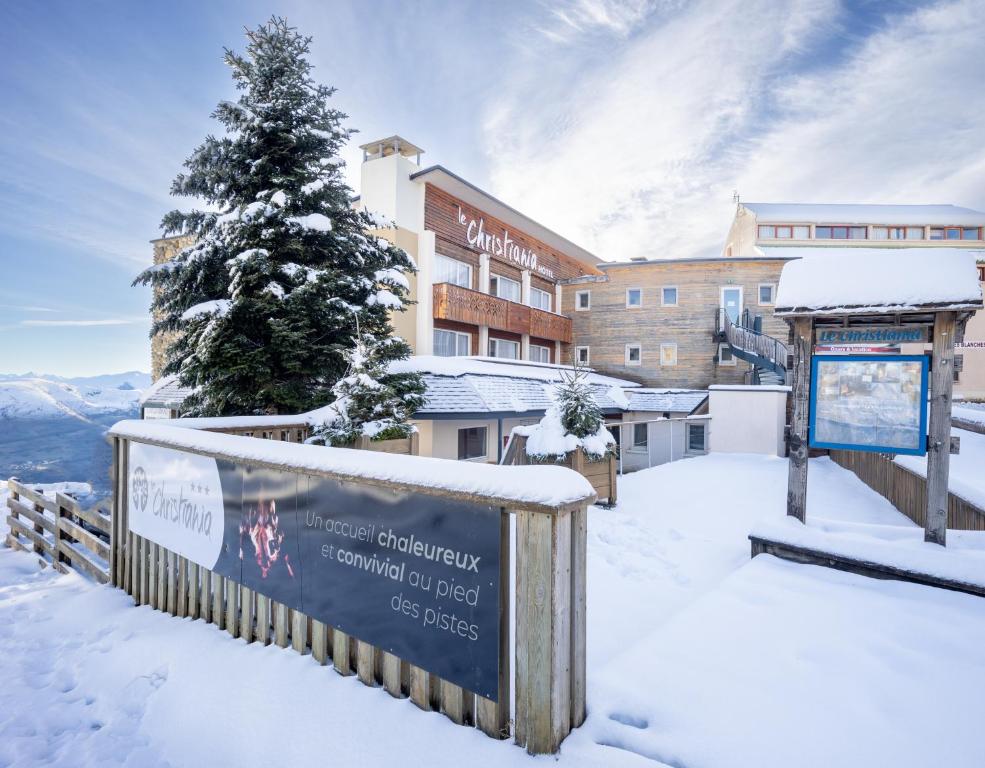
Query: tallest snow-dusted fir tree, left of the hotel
x,y
280,280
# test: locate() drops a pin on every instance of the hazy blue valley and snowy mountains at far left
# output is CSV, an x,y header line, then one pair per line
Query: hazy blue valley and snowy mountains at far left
x,y
54,428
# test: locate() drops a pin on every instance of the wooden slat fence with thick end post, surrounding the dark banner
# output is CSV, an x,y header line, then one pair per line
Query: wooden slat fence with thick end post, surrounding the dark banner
x,y
549,604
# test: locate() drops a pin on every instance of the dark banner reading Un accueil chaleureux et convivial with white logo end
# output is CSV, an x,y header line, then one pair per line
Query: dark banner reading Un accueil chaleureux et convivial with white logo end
x,y
413,574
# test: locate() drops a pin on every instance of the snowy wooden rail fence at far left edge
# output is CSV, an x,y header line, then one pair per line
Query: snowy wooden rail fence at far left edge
x,y
60,530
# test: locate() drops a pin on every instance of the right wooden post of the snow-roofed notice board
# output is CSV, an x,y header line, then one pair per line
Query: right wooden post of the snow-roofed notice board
x,y
938,447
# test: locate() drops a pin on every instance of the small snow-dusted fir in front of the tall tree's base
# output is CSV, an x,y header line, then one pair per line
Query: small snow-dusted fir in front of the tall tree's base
x,y
370,400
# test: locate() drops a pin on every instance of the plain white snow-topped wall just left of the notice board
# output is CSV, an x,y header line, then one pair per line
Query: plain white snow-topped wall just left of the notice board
x,y
747,419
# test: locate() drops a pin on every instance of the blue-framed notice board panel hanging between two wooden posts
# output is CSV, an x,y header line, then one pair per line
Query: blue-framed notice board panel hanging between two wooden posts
x,y
869,403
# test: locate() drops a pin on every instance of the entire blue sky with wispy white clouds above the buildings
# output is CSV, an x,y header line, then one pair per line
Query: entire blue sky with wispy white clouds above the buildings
x,y
624,125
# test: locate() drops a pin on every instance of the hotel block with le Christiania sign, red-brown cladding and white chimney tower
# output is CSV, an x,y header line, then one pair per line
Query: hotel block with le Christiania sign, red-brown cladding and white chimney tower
x,y
489,278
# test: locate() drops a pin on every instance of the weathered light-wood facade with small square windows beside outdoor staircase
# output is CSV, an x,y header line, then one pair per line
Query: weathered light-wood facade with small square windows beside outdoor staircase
x,y
608,325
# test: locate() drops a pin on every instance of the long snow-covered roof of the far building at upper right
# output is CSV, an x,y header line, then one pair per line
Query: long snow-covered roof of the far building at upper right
x,y
928,215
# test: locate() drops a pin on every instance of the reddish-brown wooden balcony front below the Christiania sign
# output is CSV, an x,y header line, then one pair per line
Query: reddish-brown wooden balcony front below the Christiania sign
x,y
462,305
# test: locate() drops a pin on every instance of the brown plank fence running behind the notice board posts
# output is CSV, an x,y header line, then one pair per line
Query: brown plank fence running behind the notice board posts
x,y
906,490
